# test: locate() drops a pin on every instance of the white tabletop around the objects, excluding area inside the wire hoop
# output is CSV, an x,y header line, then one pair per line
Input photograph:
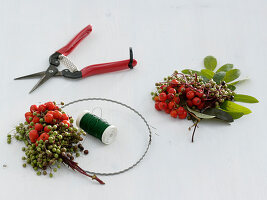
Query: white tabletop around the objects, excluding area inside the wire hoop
x,y
225,162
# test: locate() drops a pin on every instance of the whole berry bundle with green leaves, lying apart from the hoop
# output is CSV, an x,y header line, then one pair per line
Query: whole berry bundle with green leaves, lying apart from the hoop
x,y
205,94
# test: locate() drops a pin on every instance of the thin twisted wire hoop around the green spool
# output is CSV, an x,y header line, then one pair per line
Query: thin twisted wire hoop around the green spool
x,y
135,111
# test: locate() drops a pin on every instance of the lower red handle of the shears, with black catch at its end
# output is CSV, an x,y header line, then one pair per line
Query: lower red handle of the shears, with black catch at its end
x,y
107,67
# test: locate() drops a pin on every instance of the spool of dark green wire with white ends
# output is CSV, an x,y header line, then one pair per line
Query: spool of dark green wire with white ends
x,y
96,127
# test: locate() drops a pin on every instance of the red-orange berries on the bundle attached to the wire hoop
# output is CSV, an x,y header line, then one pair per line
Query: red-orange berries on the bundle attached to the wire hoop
x,y
41,119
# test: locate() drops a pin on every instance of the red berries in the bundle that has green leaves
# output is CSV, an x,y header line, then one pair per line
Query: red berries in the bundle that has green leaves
x,y
173,97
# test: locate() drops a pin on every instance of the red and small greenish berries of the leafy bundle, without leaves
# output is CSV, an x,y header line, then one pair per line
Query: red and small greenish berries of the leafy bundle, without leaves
x,y
179,91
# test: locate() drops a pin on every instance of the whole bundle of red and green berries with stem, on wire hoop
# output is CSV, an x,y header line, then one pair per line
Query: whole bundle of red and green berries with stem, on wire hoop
x,y
50,140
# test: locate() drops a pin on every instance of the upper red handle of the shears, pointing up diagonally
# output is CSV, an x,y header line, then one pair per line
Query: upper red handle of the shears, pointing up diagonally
x,y
66,50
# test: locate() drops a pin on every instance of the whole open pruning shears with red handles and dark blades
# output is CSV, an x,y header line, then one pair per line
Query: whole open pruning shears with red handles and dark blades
x,y
72,72
